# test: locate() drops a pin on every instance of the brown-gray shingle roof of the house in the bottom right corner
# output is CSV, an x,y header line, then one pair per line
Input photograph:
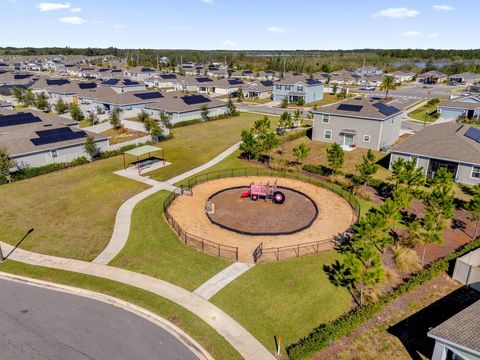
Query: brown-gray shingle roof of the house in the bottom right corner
x,y
462,329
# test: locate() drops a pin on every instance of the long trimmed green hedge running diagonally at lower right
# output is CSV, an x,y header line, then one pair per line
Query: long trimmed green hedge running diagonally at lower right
x,y
321,336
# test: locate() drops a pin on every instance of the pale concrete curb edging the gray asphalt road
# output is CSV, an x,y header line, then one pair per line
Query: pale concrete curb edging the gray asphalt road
x,y
166,325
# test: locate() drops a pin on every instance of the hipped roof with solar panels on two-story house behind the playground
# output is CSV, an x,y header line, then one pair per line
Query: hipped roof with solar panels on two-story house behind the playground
x,y
361,108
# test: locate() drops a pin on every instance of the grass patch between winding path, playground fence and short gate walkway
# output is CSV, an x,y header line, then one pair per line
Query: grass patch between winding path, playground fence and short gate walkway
x,y
154,249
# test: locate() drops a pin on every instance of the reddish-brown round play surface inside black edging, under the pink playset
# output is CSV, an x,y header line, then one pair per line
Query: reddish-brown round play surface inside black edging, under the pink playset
x,y
262,217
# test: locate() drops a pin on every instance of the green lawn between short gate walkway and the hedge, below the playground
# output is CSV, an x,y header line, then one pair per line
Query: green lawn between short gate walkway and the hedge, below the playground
x,y
286,298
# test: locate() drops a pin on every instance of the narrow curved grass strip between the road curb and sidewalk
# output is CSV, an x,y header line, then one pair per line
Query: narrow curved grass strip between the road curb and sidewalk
x,y
188,322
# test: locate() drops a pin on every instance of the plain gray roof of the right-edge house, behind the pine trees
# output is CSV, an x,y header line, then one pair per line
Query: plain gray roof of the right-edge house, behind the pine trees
x,y
443,141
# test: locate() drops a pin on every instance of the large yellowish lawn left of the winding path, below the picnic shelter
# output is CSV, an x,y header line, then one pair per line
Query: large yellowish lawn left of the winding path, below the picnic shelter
x,y
72,211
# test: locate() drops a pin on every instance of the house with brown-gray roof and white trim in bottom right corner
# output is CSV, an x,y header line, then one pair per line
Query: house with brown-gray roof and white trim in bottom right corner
x,y
459,336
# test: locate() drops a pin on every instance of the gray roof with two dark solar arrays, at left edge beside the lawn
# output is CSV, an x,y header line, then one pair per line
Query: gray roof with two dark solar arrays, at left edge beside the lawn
x,y
18,129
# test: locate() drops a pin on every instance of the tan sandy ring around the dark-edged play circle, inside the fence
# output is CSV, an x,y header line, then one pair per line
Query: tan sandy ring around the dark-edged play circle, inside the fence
x,y
335,215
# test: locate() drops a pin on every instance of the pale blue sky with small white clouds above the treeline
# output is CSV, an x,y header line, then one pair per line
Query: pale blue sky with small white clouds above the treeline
x,y
241,24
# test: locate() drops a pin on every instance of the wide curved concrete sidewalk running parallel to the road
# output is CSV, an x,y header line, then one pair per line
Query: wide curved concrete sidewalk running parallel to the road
x,y
245,343
